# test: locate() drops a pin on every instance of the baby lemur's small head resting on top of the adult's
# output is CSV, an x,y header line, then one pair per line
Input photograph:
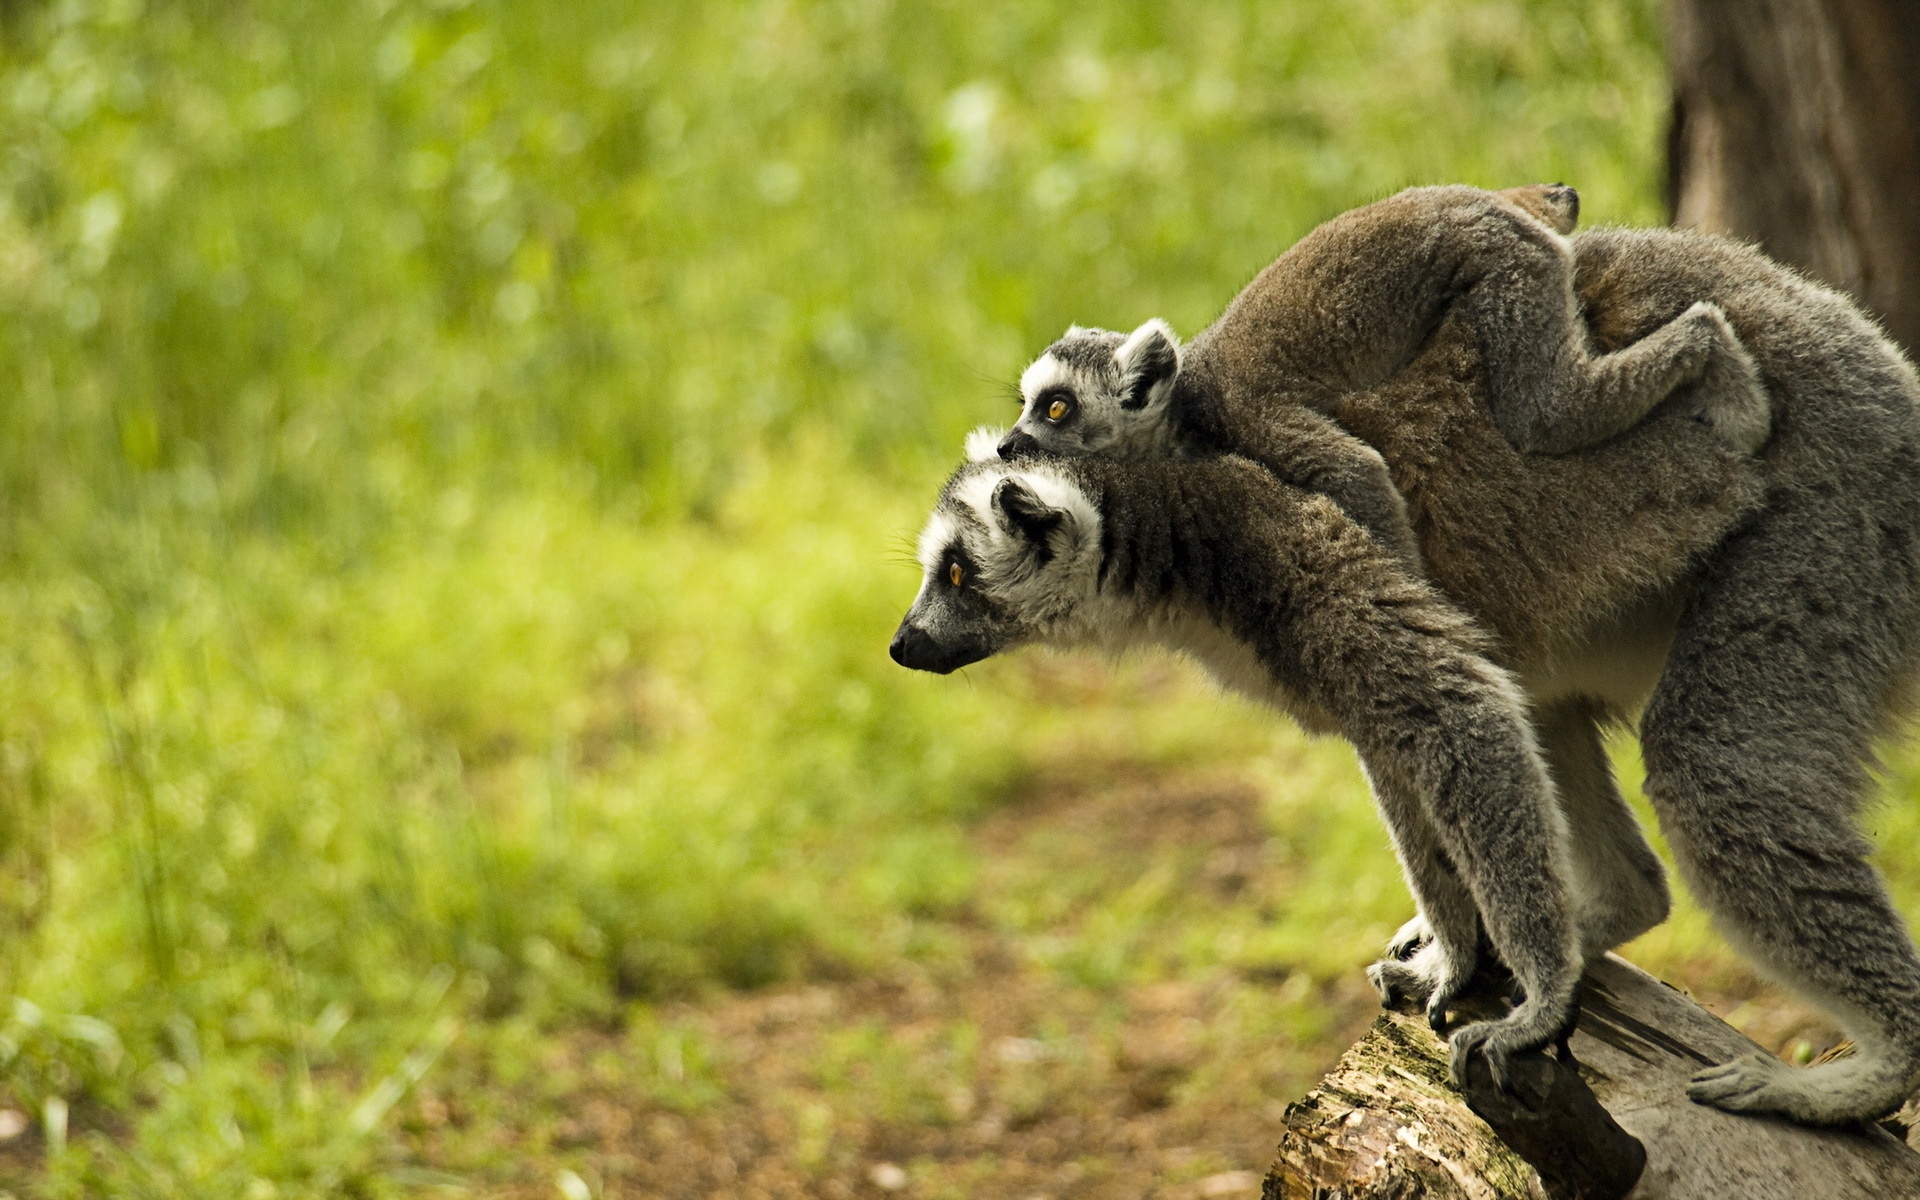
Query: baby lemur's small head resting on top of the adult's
x,y
1097,393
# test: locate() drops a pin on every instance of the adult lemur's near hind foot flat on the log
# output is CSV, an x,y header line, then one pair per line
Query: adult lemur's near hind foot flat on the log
x,y
1835,1093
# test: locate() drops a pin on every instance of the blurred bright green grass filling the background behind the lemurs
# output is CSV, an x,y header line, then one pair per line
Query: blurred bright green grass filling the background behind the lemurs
x,y
458,469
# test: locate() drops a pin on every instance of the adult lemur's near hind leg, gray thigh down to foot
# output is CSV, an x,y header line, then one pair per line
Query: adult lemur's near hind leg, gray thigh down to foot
x,y
1760,750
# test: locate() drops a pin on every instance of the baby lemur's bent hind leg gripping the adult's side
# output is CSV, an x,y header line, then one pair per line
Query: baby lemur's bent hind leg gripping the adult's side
x,y
1552,395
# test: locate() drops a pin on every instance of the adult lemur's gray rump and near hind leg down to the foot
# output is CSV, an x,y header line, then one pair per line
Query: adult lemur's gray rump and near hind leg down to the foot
x,y
1792,658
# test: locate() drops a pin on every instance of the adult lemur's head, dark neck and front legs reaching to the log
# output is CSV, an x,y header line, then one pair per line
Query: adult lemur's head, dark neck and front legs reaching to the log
x,y
1295,606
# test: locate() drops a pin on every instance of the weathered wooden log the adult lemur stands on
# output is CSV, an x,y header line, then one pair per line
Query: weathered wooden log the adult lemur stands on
x,y
1387,1124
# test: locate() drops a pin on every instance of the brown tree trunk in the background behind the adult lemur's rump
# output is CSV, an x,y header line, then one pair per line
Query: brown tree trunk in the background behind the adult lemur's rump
x,y
1798,126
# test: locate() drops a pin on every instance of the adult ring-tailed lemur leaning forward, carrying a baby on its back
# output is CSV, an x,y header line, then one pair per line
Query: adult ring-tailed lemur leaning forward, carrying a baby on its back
x,y
1762,613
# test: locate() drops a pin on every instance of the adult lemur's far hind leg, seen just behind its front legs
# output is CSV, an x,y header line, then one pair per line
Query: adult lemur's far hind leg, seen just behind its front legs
x,y
1620,884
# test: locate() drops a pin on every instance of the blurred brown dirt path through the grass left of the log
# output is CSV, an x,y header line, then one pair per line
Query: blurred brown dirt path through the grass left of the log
x,y
984,1072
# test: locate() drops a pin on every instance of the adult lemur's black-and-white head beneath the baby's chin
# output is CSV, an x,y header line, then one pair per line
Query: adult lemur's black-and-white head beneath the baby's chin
x,y
1009,556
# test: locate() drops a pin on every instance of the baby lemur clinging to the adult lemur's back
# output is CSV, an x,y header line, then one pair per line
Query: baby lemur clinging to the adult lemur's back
x,y
1345,310
